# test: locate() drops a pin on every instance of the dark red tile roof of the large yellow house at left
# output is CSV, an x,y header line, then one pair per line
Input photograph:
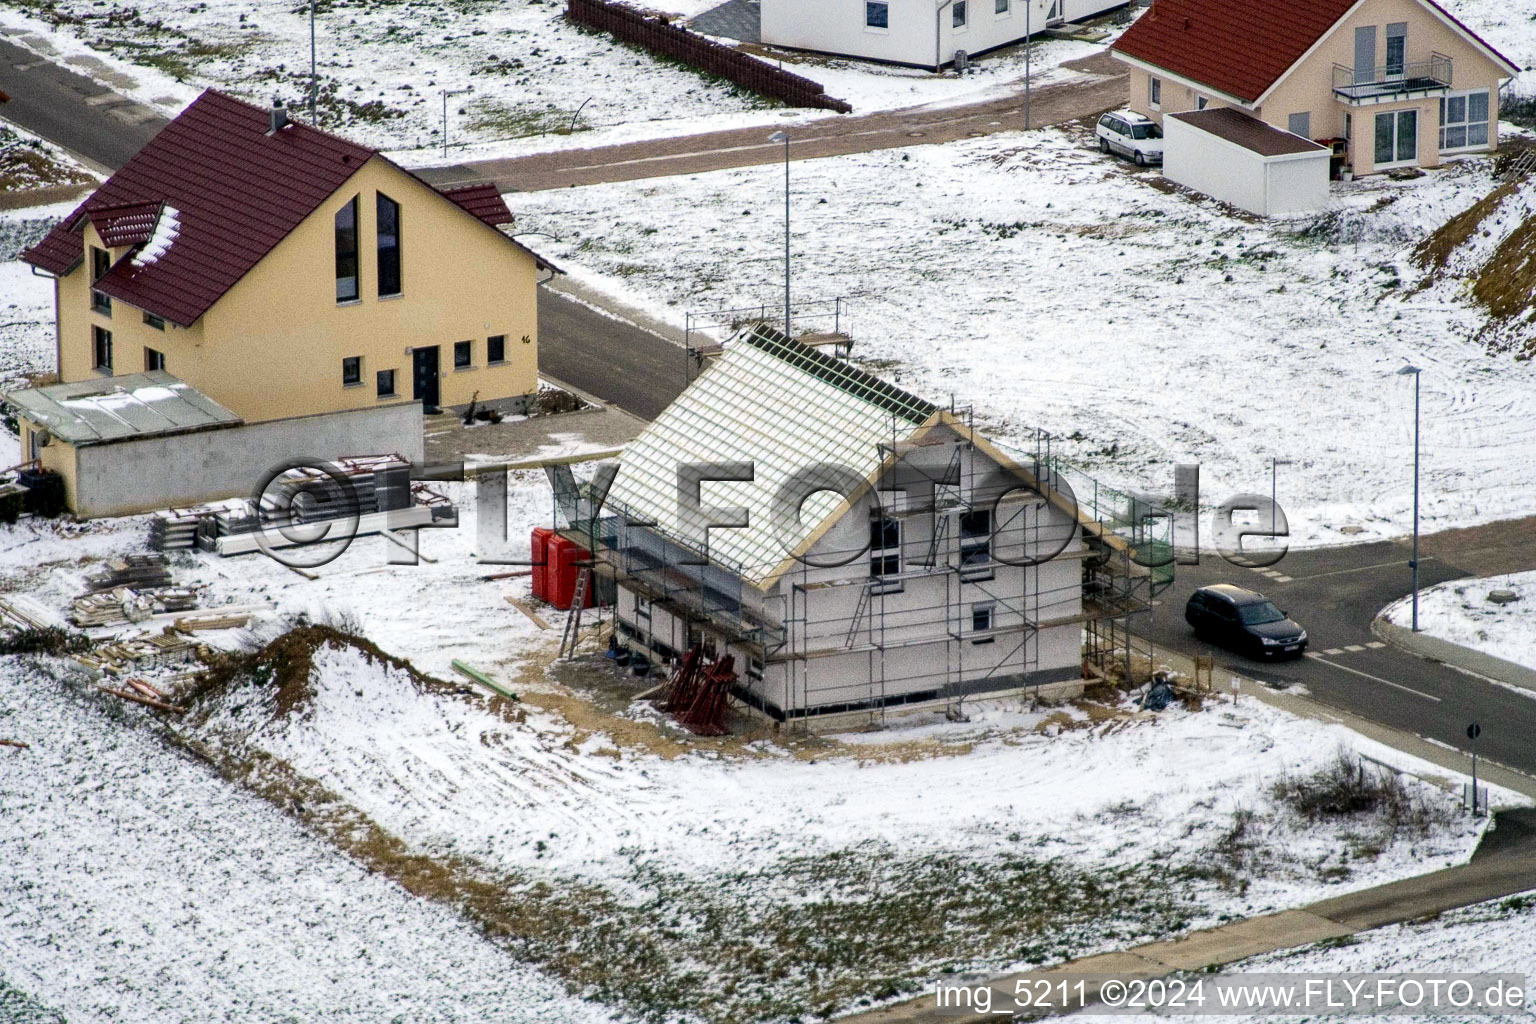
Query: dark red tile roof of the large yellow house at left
x,y
223,193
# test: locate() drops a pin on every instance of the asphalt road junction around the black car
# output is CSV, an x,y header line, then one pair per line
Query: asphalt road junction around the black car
x,y
1336,593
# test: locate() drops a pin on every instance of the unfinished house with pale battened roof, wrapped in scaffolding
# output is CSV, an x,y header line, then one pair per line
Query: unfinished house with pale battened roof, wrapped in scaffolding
x,y
884,557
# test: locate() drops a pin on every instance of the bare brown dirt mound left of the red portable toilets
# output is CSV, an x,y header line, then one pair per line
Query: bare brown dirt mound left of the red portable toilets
x,y
286,666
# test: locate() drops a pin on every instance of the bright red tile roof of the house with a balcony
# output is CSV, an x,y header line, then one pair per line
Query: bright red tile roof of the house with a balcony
x,y
1242,47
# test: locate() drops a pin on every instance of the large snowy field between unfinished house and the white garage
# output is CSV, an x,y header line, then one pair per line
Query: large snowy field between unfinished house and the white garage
x,y
1059,291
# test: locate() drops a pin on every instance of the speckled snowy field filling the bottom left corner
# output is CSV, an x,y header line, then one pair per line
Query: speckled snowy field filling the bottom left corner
x,y
142,888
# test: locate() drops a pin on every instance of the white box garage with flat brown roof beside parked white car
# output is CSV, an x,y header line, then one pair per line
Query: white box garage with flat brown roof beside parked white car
x,y
1239,159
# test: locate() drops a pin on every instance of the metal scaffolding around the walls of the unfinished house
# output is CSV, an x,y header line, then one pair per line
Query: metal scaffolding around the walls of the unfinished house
x,y
1125,555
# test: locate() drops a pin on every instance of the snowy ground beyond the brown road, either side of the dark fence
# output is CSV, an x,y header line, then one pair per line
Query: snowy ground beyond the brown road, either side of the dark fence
x,y
383,70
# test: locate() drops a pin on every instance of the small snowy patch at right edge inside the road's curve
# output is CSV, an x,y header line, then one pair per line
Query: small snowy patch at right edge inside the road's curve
x,y
1460,612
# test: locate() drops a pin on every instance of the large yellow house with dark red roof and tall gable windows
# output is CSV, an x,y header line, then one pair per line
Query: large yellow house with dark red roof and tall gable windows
x,y
285,273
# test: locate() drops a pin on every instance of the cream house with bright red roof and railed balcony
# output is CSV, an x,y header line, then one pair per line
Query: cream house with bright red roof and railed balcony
x,y
1391,84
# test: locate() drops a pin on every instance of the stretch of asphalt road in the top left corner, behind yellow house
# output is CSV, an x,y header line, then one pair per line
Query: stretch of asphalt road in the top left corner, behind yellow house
x,y
73,111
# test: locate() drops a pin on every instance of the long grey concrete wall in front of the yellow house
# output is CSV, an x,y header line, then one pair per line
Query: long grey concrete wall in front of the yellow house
x,y
137,477
